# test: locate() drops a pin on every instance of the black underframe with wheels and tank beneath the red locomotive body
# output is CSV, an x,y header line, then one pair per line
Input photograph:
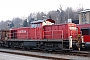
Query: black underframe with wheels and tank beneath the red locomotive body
x,y
50,45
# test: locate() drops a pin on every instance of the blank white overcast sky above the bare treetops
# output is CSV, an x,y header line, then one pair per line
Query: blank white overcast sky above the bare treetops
x,y
21,8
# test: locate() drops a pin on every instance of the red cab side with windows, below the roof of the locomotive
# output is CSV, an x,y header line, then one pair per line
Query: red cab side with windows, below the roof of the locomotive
x,y
36,31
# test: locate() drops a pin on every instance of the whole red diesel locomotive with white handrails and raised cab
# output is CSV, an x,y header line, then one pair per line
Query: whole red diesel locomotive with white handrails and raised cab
x,y
45,35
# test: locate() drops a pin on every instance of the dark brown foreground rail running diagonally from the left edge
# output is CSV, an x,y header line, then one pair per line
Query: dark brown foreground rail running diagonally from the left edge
x,y
32,55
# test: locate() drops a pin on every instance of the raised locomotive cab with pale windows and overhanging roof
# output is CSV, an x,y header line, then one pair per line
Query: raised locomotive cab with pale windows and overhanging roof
x,y
37,28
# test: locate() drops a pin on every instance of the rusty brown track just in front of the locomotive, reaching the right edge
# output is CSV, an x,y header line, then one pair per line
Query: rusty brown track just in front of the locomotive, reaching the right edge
x,y
73,53
